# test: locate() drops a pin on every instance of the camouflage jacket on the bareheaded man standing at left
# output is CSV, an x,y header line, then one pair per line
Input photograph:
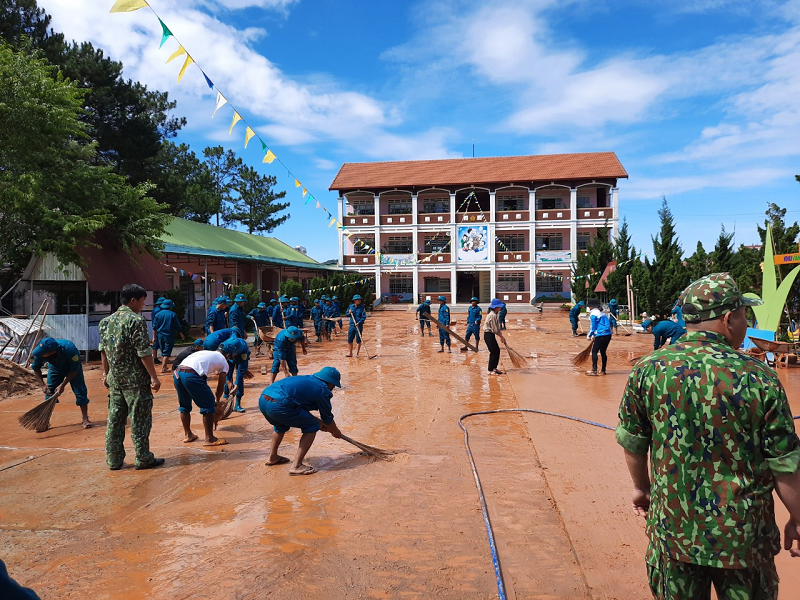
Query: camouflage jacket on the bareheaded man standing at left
x,y
124,339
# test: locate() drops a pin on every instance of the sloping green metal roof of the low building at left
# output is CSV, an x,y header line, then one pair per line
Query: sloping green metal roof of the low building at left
x,y
190,237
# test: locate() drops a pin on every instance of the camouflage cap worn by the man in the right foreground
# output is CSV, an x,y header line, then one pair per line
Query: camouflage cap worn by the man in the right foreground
x,y
712,296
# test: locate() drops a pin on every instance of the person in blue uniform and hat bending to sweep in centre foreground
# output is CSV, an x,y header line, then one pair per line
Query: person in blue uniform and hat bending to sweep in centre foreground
x,y
289,402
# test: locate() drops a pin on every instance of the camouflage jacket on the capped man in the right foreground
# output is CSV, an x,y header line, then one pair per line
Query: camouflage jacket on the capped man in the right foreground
x,y
718,428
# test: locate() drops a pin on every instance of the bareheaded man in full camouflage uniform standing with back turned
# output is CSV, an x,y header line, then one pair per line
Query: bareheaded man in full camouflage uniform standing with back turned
x,y
131,379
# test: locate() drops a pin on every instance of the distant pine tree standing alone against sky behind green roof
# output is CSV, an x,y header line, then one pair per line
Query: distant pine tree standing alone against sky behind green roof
x,y
255,205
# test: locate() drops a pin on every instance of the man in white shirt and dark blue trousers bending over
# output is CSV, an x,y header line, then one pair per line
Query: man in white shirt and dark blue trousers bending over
x,y
191,383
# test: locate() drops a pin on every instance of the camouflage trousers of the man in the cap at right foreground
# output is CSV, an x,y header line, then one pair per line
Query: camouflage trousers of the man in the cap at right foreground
x,y
675,580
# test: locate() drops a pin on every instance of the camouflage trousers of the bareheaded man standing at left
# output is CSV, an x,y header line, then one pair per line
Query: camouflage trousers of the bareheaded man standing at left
x,y
138,404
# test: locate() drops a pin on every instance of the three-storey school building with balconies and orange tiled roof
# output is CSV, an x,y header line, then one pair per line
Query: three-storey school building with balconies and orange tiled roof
x,y
505,227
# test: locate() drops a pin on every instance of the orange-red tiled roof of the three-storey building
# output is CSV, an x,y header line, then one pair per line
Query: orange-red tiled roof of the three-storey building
x,y
468,171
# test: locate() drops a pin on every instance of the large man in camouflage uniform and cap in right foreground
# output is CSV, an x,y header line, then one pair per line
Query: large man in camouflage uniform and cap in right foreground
x,y
721,437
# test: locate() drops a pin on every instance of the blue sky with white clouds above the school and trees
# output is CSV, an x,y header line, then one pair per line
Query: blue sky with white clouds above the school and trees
x,y
700,99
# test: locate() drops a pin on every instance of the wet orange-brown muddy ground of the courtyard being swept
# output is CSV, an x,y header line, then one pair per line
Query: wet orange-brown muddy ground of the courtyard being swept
x,y
218,523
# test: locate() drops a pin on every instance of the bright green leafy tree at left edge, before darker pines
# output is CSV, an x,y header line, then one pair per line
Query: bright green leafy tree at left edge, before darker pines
x,y
54,196
